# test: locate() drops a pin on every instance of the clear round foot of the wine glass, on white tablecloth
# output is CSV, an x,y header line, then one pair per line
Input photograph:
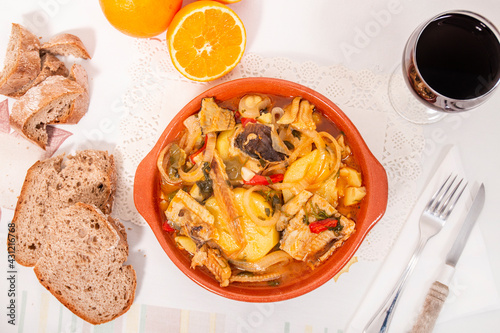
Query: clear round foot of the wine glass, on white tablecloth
x,y
406,104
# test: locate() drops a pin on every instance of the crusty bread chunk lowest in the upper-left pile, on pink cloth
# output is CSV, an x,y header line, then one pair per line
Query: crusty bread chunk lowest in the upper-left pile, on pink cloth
x,y
46,103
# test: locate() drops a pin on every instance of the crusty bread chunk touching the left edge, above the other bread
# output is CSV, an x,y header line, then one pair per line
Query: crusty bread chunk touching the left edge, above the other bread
x,y
22,61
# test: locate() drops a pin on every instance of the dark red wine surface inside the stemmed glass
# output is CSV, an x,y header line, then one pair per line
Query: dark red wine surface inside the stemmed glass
x,y
458,56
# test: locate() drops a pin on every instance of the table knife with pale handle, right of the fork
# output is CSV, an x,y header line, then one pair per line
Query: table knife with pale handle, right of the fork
x,y
439,290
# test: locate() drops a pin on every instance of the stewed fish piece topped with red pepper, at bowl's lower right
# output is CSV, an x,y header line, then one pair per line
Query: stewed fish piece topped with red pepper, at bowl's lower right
x,y
314,233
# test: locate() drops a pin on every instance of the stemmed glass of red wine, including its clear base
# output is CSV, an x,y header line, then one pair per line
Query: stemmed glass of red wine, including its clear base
x,y
451,63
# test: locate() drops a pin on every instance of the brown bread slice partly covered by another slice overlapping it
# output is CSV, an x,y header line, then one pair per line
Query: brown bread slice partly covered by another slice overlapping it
x,y
54,184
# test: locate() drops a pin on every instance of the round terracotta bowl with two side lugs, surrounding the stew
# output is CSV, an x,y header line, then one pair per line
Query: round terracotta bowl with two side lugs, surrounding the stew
x,y
147,188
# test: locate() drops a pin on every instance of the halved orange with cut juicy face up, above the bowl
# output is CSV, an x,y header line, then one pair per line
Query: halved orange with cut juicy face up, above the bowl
x,y
206,40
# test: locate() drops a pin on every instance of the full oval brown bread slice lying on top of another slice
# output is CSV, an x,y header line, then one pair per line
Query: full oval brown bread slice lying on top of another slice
x,y
82,265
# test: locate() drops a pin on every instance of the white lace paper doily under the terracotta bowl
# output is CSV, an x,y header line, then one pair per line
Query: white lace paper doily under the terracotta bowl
x,y
158,91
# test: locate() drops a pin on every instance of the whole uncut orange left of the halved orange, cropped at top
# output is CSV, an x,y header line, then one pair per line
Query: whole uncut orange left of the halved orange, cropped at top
x,y
140,18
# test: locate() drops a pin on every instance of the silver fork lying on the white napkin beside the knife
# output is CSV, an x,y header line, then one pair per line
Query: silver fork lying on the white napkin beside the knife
x,y
432,220
